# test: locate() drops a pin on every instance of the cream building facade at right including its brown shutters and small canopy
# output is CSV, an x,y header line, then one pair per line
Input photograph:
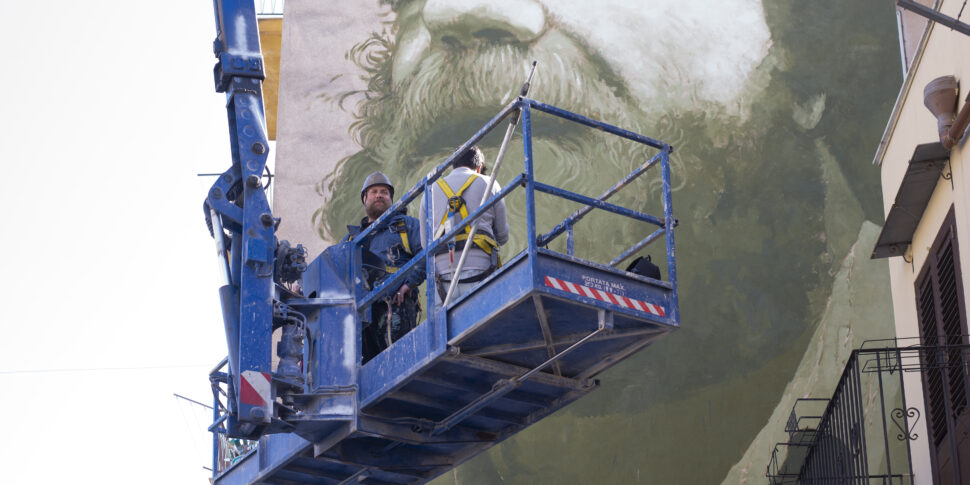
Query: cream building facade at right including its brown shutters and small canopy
x,y
925,195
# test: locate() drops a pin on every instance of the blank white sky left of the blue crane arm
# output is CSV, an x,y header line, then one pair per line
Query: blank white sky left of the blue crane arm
x,y
108,113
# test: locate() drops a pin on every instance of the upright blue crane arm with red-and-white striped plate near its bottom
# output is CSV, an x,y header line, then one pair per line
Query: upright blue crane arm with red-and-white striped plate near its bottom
x,y
238,214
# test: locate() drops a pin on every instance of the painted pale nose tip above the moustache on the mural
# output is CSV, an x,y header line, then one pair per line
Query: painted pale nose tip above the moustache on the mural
x,y
467,22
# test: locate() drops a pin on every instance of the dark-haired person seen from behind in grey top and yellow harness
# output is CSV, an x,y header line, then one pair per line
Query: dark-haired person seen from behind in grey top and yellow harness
x,y
454,197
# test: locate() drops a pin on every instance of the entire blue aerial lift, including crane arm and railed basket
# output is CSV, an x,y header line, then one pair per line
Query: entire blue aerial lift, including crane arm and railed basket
x,y
525,342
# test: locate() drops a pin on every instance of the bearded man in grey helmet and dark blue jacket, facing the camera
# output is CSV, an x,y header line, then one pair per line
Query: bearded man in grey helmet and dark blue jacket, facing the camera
x,y
385,250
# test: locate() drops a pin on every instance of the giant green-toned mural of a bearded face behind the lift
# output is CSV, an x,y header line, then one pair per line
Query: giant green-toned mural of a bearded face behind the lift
x,y
772,185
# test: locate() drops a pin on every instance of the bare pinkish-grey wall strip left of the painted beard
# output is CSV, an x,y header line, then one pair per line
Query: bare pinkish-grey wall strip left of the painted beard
x,y
315,74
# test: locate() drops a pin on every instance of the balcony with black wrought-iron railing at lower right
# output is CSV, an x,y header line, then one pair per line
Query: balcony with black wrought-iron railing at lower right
x,y
863,434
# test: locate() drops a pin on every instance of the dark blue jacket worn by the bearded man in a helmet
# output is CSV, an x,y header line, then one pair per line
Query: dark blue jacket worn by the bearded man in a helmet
x,y
387,245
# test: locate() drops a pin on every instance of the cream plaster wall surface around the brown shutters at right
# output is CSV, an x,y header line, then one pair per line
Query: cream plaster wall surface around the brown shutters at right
x,y
944,54
